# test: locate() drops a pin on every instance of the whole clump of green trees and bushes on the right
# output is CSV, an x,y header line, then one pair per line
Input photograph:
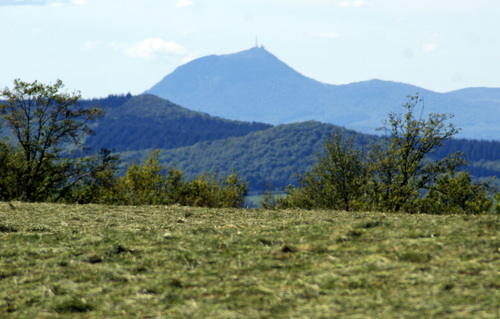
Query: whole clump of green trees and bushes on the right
x,y
398,171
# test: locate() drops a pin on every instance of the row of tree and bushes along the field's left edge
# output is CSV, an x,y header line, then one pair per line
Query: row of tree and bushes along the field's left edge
x,y
44,158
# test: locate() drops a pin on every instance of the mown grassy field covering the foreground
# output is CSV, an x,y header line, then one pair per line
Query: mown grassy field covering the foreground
x,y
93,261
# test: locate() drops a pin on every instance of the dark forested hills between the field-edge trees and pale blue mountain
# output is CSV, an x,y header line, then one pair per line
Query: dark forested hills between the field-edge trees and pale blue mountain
x,y
265,155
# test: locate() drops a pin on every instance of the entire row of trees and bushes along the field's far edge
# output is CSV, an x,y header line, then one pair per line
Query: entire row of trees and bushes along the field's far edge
x,y
44,158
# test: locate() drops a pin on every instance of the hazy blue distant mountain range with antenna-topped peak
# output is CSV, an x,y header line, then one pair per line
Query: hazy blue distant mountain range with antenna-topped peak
x,y
254,85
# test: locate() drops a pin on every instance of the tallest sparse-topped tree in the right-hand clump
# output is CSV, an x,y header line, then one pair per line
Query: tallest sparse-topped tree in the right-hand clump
x,y
400,167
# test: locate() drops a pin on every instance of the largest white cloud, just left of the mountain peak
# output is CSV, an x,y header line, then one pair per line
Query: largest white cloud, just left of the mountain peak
x,y
151,49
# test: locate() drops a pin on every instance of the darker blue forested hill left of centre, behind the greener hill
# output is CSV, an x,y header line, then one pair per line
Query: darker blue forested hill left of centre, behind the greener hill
x,y
146,121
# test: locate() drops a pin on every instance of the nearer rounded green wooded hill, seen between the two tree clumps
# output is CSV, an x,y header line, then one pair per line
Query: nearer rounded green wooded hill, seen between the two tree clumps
x,y
269,157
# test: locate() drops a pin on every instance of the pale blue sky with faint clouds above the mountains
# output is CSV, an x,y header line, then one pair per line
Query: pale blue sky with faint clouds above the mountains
x,y
102,47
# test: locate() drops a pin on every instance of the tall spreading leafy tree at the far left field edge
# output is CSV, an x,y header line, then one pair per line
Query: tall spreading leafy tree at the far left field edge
x,y
49,128
